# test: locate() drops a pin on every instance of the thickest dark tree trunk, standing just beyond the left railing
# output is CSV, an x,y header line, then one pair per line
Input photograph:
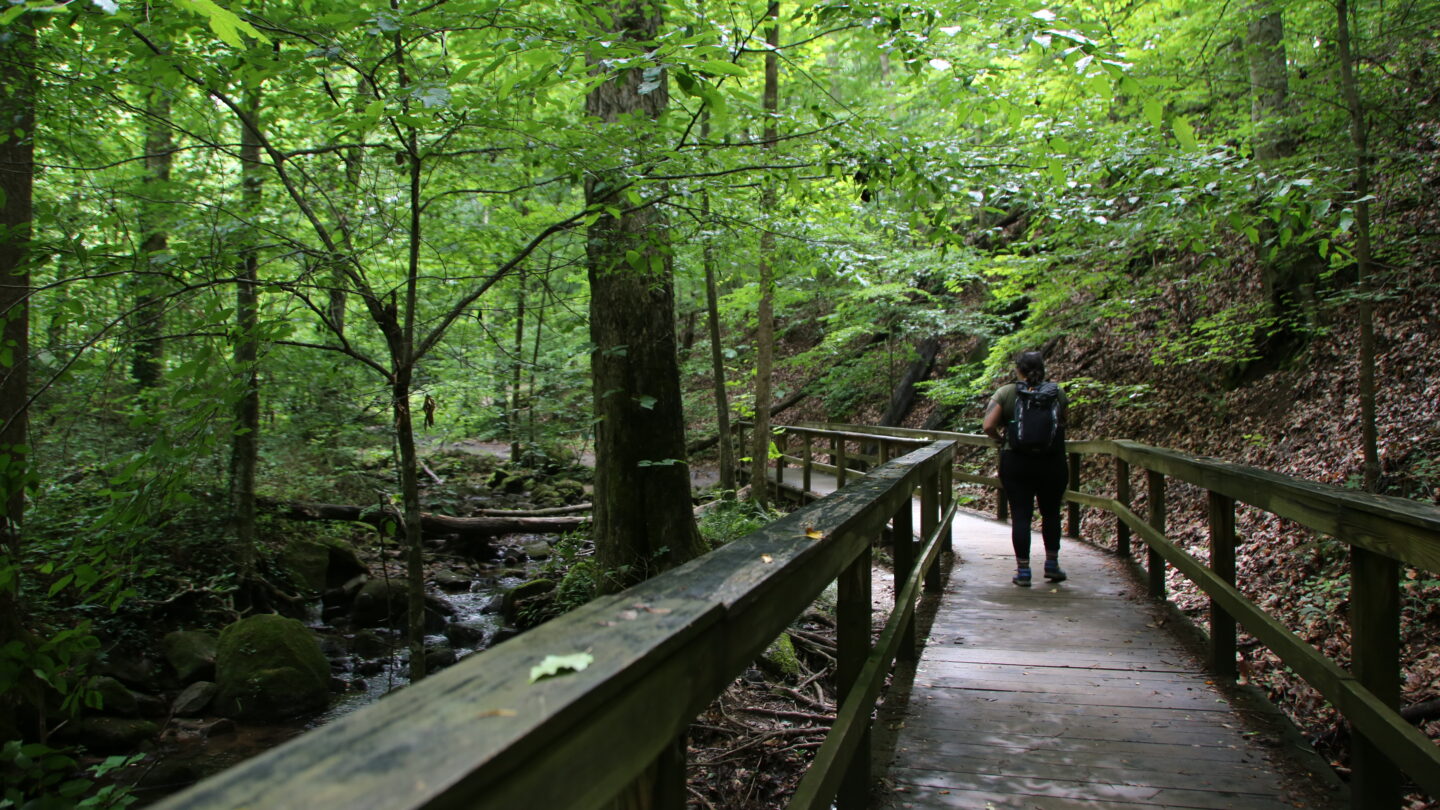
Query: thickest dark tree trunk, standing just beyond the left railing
x,y
643,518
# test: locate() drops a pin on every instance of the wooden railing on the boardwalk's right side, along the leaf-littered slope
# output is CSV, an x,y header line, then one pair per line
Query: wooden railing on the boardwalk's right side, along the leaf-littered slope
x,y
1383,534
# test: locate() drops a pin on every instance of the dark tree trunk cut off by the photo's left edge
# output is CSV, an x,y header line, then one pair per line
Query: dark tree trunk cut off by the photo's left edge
x,y
18,92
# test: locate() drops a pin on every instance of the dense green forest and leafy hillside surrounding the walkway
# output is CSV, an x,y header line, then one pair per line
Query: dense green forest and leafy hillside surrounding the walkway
x,y
293,253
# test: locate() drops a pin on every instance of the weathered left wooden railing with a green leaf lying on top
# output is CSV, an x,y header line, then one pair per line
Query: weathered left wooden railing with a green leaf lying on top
x,y
482,734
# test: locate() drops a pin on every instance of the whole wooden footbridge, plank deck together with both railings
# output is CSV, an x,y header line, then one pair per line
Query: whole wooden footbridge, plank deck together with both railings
x,y
1052,698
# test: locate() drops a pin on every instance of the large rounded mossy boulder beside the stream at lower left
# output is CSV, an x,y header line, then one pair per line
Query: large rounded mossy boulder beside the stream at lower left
x,y
270,668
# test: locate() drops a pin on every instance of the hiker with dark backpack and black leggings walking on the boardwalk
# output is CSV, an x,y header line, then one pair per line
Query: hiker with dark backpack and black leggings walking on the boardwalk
x,y
1027,419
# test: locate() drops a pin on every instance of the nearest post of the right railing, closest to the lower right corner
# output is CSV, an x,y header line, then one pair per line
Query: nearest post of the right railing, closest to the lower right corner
x,y
1376,664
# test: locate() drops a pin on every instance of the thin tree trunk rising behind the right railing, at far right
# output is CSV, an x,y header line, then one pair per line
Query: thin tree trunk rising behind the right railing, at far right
x,y
1360,136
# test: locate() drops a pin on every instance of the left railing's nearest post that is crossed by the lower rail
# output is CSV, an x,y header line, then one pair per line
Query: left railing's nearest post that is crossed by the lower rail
x,y
853,648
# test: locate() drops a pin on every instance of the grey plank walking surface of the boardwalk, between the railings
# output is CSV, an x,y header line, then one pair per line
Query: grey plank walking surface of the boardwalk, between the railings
x,y
1066,697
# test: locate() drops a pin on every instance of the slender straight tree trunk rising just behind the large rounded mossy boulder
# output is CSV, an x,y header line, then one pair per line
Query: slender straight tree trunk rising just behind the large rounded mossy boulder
x,y
246,446
